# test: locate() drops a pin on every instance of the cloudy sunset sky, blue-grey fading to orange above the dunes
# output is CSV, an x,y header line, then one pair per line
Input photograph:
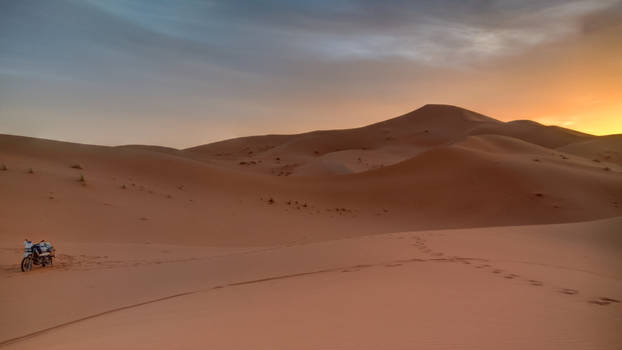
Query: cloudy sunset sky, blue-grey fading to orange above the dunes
x,y
189,72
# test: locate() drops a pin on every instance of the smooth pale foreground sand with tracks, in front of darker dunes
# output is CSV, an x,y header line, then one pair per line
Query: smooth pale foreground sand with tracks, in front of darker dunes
x,y
554,286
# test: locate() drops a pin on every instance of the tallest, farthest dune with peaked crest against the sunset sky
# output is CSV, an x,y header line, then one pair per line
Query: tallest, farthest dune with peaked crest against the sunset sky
x,y
322,152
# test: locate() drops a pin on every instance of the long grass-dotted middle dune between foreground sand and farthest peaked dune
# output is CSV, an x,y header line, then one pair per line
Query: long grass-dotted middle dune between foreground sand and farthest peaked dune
x,y
163,198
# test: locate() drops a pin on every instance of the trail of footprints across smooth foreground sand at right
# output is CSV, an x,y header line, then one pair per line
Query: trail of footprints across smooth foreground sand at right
x,y
420,244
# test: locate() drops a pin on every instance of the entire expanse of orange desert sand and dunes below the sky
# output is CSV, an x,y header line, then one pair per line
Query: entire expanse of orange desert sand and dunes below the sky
x,y
289,241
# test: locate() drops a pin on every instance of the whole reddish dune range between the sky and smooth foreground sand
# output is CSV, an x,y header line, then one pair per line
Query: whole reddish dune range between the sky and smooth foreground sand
x,y
406,173
